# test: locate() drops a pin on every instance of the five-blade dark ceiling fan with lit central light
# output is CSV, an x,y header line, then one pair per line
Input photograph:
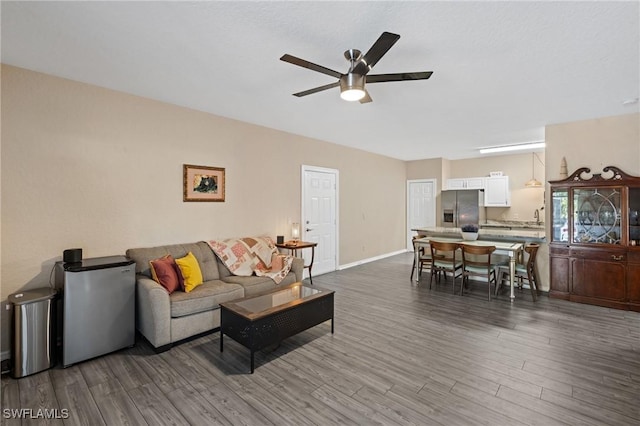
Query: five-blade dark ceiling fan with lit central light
x,y
352,84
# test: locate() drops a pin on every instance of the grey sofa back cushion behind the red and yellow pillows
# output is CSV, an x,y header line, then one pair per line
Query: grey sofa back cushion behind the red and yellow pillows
x,y
206,258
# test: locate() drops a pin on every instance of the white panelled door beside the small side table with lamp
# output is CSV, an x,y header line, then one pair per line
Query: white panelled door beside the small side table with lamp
x,y
320,217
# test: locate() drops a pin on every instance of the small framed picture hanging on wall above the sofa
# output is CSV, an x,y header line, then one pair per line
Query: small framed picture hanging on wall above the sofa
x,y
203,183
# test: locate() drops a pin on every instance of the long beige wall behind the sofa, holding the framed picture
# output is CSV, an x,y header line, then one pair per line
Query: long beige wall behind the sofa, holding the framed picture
x,y
102,170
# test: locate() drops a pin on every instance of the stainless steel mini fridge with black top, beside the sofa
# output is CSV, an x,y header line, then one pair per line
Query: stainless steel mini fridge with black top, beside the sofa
x,y
98,306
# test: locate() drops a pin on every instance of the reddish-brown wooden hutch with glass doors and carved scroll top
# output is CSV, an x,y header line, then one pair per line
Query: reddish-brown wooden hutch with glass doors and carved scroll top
x,y
594,247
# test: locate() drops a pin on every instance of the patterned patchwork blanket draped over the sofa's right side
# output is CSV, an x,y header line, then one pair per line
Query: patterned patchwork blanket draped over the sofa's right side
x,y
246,256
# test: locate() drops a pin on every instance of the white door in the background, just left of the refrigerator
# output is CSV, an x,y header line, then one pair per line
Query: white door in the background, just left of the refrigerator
x,y
421,206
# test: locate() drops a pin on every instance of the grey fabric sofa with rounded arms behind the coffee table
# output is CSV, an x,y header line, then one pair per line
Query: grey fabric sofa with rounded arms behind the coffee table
x,y
164,318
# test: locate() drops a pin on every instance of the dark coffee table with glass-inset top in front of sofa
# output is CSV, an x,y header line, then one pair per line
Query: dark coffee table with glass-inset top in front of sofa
x,y
268,318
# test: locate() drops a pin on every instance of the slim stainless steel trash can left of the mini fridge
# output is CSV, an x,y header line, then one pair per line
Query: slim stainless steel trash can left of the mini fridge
x,y
34,321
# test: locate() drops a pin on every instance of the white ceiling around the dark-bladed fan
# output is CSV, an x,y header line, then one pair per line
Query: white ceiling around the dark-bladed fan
x,y
502,70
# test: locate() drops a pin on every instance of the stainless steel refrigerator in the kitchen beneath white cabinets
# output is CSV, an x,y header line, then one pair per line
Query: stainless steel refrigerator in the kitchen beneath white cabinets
x,y
462,207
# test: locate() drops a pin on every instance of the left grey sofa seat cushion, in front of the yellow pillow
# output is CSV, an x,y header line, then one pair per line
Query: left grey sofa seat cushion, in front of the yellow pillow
x,y
205,297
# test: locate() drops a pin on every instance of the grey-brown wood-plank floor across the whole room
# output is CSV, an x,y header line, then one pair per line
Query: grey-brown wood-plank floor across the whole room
x,y
401,354
